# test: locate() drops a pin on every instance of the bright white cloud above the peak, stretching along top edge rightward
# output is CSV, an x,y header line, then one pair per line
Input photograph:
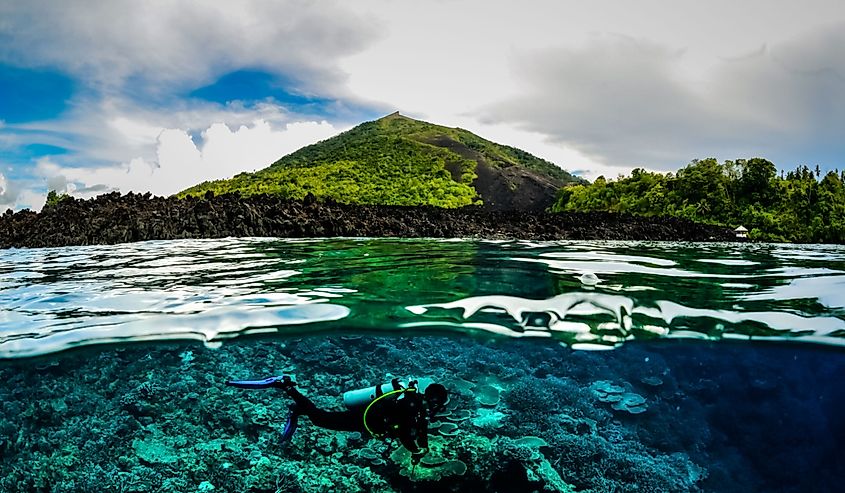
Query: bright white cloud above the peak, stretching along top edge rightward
x,y
450,57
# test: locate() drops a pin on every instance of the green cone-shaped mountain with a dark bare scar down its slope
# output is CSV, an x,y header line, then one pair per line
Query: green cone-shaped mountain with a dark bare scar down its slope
x,y
397,160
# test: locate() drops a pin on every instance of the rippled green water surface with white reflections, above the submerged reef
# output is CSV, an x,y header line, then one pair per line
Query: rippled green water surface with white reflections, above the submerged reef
x,y
213,290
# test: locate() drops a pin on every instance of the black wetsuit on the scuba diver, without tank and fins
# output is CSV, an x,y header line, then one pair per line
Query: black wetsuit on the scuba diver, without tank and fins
x,y
402,416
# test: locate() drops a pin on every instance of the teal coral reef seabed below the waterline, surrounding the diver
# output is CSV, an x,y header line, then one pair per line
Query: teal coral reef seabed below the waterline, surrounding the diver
x,y
144,419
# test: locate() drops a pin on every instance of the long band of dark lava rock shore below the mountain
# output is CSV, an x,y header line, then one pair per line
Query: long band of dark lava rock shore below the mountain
x,y
115,218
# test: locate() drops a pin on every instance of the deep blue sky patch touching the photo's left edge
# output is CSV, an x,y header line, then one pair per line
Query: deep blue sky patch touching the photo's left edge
x,y
30,95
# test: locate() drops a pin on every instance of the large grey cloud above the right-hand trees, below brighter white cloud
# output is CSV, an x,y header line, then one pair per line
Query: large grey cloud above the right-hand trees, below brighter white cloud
x,y
625,102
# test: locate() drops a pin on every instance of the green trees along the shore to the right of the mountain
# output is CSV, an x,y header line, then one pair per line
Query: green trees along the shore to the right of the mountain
x,y
800,206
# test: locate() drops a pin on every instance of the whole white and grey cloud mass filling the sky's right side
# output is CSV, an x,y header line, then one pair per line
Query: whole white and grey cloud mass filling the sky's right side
x,y
611,85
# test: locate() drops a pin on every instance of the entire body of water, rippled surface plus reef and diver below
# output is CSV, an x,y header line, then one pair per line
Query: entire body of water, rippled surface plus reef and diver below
x,y
266,365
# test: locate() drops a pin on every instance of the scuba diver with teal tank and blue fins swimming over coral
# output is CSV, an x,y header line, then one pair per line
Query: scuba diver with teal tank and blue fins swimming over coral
x,y
384,411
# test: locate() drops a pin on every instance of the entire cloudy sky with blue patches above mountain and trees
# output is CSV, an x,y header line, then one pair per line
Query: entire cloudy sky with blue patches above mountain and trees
x,y
161,95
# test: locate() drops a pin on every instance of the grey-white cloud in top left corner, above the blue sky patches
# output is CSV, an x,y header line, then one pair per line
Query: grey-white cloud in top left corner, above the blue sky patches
x,y
179,43
